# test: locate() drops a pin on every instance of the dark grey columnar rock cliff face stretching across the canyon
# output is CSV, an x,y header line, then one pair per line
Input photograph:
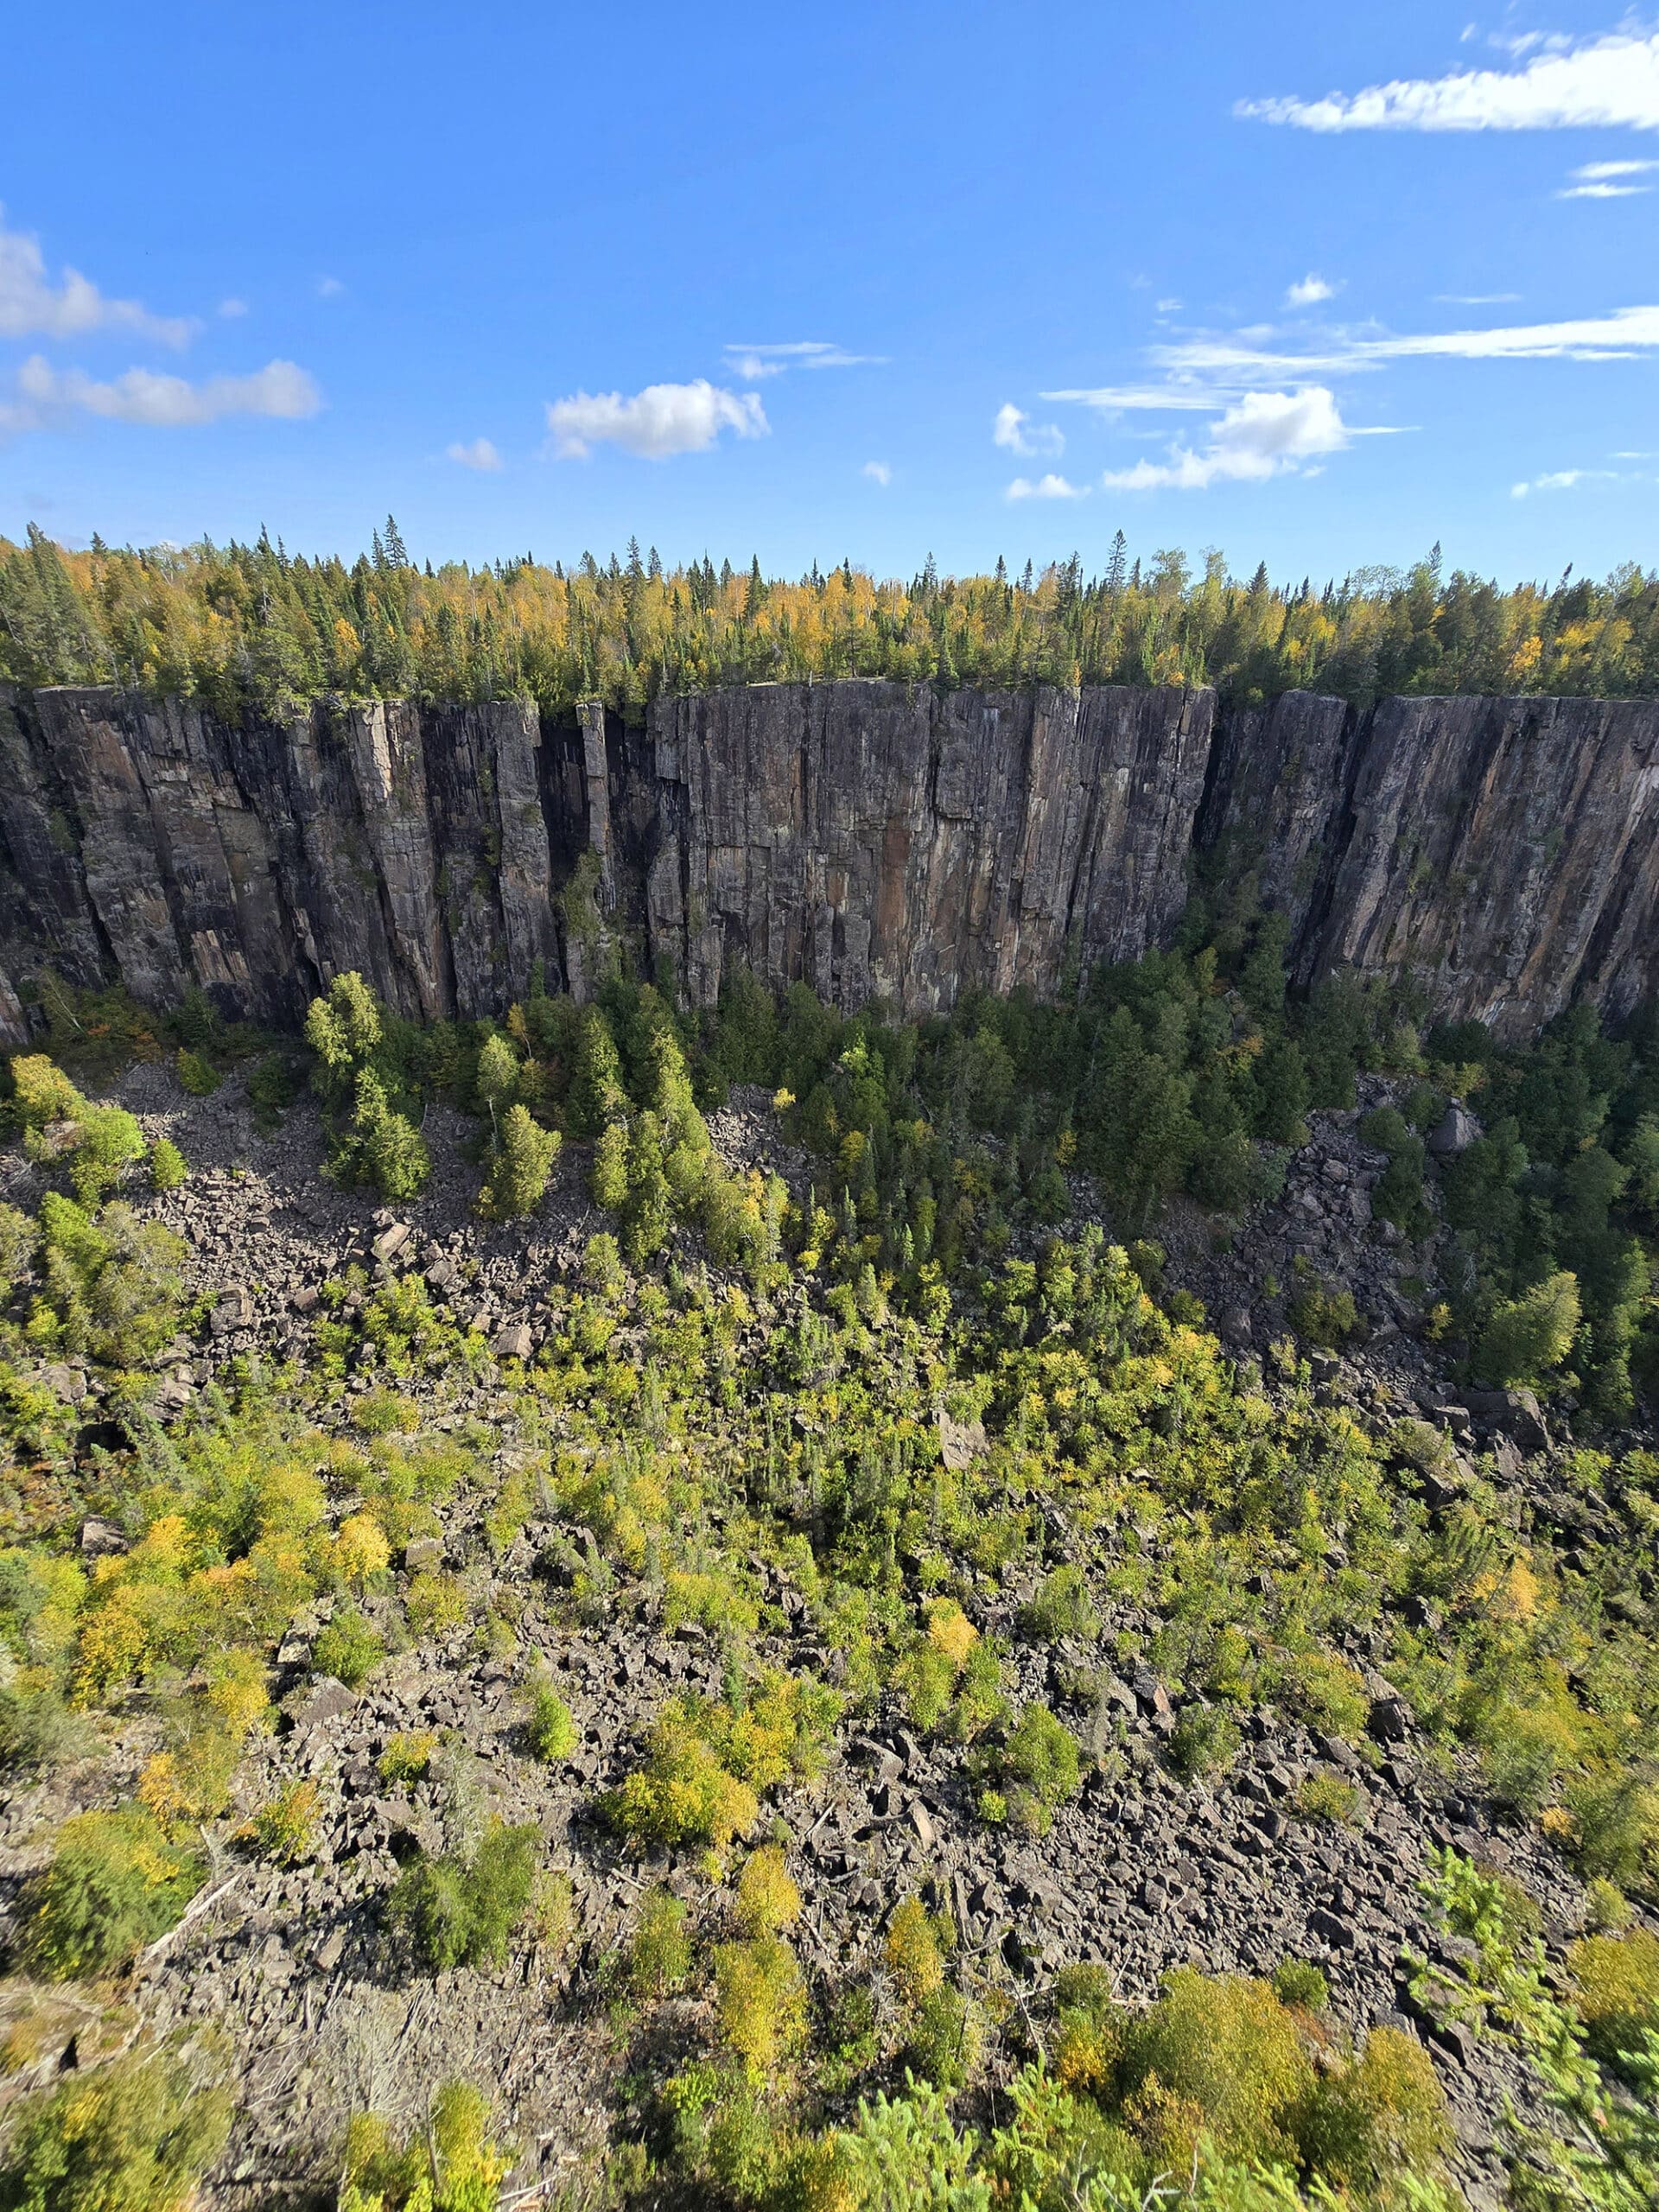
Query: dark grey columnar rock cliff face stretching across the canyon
x,y
873,839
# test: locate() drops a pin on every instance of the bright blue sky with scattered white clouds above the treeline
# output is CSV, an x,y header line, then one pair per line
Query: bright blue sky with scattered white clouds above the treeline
x,y
1311,284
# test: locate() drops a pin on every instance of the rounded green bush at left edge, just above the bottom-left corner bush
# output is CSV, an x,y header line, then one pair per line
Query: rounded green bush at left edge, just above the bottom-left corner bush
x,y
114,1886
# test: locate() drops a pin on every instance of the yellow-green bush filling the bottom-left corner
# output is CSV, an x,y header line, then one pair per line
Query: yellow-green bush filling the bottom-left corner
x,y
132,2136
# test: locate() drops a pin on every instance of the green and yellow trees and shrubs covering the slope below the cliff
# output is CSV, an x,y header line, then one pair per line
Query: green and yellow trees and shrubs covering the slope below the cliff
x,y
731,1432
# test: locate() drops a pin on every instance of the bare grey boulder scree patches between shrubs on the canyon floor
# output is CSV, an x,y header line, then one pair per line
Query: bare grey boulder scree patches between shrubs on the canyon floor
x,y
1140,1870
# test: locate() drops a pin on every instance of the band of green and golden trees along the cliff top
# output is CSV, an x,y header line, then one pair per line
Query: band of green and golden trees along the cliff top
x,y
251,627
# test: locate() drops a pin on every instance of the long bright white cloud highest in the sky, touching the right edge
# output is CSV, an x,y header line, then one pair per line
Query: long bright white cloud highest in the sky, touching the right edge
x,y
1609,83
